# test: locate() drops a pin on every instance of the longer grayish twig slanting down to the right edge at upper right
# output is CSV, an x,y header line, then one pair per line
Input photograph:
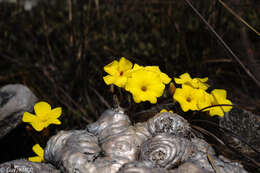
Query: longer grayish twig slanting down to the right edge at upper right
x,y
224,44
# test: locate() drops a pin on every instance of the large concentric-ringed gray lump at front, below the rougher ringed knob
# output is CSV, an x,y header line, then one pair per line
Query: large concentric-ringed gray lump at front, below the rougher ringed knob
x,y
166,151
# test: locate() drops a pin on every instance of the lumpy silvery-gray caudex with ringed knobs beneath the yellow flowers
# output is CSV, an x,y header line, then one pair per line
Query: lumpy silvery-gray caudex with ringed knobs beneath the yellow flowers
x,y
113,145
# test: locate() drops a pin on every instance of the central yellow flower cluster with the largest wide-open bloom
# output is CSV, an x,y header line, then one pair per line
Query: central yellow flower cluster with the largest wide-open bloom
x,y
145,83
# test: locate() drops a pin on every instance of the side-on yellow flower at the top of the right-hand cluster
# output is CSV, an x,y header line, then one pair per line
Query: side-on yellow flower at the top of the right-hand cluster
x,y
198,83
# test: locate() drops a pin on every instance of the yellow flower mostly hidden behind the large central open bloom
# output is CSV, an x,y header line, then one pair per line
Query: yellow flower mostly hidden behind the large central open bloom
x,y
164,77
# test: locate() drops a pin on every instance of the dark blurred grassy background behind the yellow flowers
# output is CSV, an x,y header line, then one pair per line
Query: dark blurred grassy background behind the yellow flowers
x,y
58,48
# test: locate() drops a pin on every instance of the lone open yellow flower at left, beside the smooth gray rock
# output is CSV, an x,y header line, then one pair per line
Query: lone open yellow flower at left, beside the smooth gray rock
x,y
44,116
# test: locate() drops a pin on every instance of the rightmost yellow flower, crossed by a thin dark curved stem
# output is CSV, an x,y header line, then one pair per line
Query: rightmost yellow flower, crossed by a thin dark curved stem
x,y
218,96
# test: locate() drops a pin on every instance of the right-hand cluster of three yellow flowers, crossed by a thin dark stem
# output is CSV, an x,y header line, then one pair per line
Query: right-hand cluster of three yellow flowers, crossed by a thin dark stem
x,y
193,96
